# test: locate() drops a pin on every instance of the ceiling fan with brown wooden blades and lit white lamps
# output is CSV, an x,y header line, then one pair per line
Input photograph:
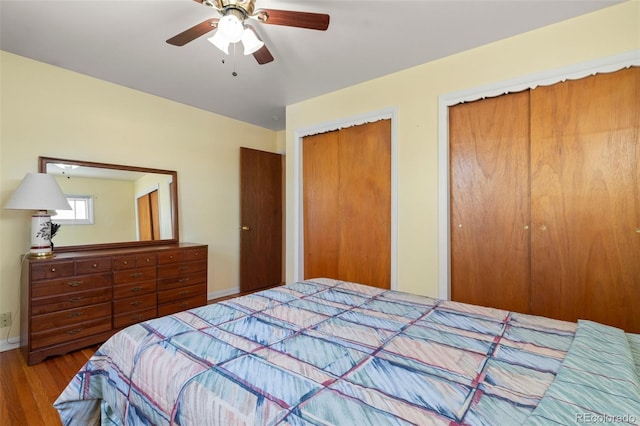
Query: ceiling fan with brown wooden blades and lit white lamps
x,y
232,27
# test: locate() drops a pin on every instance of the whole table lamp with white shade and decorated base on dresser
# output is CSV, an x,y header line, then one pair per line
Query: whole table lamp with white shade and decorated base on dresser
x,y
39,191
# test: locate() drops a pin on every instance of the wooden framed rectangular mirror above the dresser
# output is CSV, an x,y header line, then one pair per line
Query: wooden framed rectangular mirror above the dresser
x,y
114,205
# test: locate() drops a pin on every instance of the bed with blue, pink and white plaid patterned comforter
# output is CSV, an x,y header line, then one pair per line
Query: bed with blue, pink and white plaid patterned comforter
x,y
328,352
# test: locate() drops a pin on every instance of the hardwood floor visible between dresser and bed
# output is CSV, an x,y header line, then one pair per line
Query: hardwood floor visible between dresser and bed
x,y
28,392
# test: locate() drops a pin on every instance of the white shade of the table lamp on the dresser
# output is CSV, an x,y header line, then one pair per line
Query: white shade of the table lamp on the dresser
x,y
38,191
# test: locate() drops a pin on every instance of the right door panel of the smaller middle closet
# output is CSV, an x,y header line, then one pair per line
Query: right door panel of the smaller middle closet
x,y
365,204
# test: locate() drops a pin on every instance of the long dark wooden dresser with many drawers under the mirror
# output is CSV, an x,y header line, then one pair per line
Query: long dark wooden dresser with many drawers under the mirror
x,y
78,299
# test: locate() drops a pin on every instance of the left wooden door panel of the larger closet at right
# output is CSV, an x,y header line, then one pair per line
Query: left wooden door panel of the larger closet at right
x,y
489,155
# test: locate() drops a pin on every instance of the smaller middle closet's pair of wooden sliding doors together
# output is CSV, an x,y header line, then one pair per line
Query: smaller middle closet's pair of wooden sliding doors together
x,y
347,204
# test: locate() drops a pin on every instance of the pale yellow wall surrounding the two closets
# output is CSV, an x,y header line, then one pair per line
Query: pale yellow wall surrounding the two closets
x,y
414,92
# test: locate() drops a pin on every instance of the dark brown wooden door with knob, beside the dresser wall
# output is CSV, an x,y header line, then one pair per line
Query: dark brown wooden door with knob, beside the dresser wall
x,y
260,219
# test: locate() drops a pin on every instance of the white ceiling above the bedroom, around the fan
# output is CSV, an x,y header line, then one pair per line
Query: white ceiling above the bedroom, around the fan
x,y
123,41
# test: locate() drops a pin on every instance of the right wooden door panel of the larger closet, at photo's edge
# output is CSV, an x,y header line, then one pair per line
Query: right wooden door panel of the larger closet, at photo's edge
x,y
586,199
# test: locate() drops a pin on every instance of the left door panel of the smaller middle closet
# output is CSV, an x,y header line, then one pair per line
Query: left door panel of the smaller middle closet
x,y
320,178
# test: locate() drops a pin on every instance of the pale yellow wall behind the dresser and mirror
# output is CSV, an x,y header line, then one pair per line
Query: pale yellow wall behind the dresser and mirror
x,y
48,111
